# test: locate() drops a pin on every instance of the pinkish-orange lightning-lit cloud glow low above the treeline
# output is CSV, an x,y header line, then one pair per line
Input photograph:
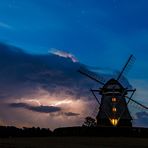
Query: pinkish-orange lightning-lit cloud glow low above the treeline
x,y
72,111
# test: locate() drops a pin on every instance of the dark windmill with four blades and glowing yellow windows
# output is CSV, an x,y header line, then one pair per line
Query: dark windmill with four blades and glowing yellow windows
x,y
115,98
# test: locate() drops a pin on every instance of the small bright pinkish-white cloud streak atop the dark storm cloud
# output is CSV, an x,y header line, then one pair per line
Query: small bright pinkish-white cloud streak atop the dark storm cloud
x,y
63,54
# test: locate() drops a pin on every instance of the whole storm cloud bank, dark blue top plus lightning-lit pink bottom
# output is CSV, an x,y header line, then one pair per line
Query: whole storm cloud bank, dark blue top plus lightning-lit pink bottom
x,y
46,89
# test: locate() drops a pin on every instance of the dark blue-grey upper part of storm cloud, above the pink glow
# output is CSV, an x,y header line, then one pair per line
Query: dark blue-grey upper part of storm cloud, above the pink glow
x,y
21,73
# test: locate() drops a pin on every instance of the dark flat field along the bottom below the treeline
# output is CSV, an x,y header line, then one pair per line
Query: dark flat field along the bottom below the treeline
x,y
74,142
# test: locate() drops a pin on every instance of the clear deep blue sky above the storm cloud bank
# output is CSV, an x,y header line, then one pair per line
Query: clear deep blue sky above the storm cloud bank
x,y
98,33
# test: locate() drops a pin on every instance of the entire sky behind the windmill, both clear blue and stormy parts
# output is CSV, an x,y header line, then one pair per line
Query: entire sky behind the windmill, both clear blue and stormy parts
x,y
44,42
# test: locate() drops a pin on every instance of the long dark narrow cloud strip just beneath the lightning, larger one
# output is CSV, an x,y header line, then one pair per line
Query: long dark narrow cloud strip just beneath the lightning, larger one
x,y
41,109
